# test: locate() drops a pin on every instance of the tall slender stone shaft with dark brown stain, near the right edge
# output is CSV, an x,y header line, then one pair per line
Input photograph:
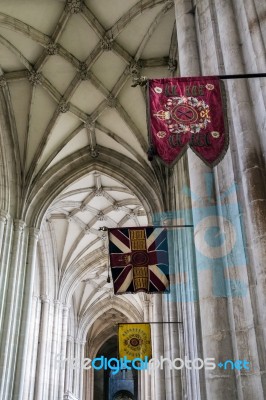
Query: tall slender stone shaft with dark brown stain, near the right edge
x,y
248,154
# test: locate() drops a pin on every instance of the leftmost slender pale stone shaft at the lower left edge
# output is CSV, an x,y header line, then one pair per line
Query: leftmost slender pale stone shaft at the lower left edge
x,y
9,340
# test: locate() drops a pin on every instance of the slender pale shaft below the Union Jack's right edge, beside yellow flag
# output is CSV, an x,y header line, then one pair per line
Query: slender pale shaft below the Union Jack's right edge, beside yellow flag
x,y
157,330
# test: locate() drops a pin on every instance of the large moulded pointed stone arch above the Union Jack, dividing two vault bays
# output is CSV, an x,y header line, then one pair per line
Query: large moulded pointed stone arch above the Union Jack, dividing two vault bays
x,y
142,181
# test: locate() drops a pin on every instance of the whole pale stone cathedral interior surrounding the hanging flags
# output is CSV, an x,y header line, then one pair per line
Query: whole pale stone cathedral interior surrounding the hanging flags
x,y
73,161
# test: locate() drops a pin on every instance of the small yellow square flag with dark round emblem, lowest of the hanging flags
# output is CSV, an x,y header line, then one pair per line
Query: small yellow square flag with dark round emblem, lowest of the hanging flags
x,y
134,341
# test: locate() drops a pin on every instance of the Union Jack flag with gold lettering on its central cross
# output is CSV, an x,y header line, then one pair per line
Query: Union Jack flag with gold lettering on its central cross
x,y
139,259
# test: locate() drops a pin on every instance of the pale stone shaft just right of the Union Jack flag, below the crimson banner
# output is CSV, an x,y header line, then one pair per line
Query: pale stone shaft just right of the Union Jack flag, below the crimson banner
x,y
184,287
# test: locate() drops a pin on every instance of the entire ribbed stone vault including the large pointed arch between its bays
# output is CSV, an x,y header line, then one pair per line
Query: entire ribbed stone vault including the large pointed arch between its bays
x,y
66,70
